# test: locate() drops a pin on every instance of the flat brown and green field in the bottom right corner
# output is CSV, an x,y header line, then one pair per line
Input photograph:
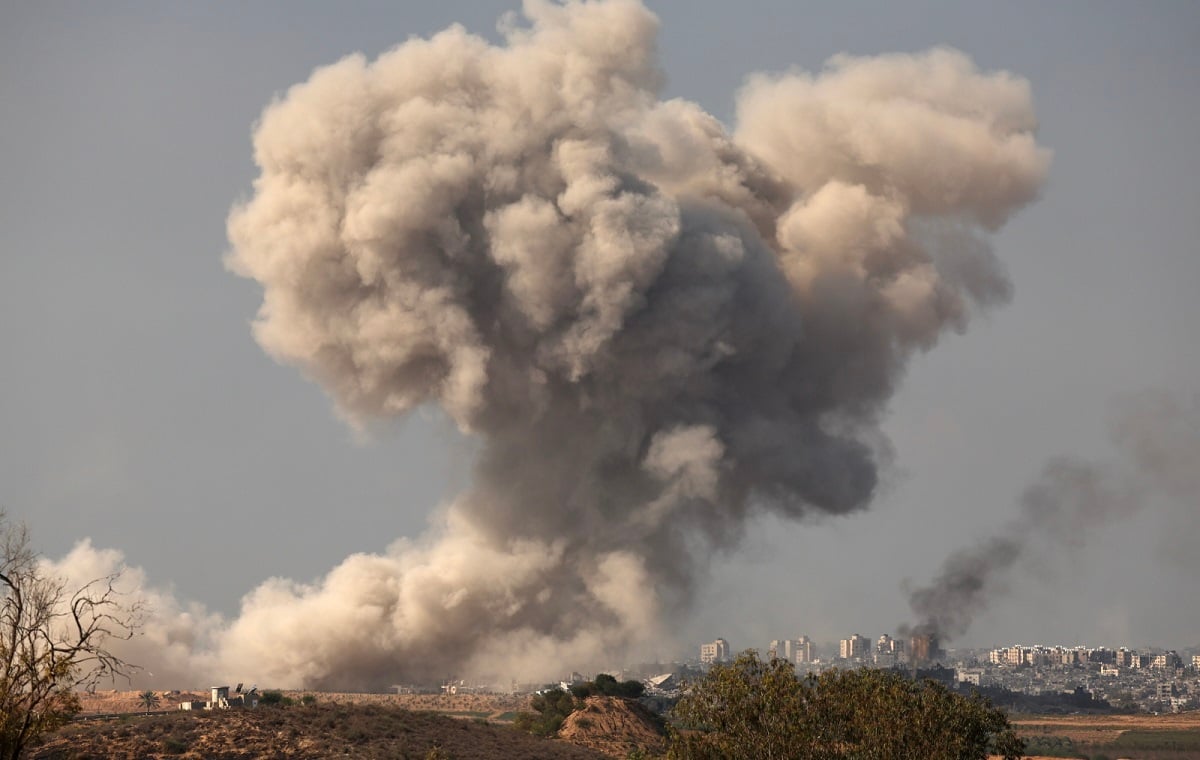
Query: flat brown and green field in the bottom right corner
x,y
1108,738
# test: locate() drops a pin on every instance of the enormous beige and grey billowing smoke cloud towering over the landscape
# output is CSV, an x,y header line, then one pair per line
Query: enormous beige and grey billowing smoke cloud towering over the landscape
x,y
653,326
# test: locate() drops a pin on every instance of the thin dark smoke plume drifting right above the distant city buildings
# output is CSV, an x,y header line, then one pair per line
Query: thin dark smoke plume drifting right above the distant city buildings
x,y
1159,439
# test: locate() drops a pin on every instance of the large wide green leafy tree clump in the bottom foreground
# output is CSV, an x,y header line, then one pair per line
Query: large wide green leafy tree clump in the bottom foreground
x,y
755,709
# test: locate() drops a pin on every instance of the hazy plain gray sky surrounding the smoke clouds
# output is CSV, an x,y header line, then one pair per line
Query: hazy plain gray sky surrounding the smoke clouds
x,y
137,410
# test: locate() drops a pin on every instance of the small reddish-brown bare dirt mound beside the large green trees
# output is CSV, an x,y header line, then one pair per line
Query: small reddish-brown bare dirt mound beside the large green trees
x,y
615,727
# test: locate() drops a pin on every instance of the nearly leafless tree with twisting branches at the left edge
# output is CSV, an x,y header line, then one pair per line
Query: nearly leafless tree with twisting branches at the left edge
x,y
53,642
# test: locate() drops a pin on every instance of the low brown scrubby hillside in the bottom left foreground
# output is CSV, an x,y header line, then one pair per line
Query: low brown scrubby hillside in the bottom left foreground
x,y
323,731
